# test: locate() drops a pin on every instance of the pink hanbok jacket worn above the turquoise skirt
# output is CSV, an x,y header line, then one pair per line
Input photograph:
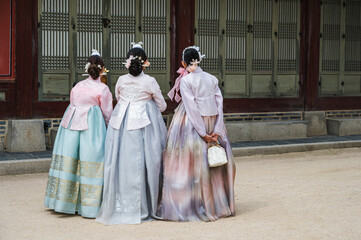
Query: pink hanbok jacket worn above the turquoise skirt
x,y
83,96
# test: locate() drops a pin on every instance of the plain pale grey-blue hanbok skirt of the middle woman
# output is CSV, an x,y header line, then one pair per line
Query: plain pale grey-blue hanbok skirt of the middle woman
x,y
132,170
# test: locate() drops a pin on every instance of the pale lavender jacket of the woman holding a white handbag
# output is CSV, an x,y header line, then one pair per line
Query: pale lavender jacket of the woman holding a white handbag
x,y
201,96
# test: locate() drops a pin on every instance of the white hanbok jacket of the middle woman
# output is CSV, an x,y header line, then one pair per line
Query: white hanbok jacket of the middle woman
x,y
135,92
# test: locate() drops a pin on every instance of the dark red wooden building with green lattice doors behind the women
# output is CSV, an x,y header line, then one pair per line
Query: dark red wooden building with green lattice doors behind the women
x,y
269,55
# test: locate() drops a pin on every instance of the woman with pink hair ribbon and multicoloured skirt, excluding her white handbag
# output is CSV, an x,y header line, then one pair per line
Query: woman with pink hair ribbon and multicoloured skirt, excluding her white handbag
x,y
193,191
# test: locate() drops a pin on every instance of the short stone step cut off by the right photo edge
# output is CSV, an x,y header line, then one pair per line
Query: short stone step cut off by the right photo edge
x,y
344,127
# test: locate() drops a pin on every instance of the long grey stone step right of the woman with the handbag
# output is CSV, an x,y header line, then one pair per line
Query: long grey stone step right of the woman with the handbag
x,y
259,131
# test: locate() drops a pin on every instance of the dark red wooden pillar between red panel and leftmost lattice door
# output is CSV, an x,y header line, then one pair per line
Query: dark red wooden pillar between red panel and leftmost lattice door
x,y
26,56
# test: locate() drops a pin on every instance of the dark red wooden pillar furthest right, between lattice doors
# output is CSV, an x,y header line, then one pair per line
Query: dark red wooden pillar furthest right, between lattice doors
x,y
312,52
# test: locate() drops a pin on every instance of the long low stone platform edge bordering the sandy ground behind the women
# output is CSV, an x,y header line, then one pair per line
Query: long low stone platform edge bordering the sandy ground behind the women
x,y
13,167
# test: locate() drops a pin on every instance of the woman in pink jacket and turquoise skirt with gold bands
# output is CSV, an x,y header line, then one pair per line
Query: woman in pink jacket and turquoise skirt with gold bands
x,y
75,181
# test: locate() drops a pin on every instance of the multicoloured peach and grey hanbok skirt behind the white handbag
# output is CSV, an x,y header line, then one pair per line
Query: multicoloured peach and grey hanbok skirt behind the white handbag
x,y
193,191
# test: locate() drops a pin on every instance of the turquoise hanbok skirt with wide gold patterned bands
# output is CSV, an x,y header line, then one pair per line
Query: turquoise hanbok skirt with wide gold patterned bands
x,y
75,180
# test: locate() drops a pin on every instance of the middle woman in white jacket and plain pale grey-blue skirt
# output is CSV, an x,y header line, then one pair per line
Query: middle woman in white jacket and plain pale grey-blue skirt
x,y
134,145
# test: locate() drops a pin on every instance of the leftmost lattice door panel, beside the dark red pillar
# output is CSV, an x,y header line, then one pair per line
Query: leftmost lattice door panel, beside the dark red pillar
x,y
54,55
